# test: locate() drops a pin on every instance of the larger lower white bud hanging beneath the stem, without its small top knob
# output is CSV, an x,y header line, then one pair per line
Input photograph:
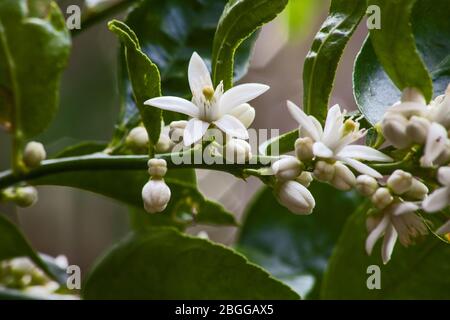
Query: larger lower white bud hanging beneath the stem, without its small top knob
x,y
156,196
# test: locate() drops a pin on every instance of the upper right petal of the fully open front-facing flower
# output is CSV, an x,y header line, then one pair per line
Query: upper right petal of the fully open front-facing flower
x,y
241,94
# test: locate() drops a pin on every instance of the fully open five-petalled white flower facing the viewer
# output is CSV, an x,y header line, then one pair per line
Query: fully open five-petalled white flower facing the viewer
x,y
209,105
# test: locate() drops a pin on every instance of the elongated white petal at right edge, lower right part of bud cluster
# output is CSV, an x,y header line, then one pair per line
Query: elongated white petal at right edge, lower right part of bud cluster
x,y
436,140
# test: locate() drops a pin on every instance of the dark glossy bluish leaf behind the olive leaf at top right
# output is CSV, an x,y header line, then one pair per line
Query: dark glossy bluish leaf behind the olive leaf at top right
x,y
374,91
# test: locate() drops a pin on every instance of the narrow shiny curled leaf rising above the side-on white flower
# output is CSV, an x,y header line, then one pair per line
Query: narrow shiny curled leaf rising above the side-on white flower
x,y
320,65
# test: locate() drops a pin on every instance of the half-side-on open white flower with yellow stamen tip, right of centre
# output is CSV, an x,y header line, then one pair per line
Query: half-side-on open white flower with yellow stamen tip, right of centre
x,y
334,140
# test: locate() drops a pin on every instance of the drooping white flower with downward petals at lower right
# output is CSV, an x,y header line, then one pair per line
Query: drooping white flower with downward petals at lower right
x,y
398,220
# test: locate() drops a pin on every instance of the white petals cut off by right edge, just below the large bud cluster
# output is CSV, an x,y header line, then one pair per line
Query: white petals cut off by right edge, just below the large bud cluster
x,y
440,198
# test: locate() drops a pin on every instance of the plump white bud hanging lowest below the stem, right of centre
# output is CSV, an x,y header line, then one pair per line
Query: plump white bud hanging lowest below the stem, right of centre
x,y
295,197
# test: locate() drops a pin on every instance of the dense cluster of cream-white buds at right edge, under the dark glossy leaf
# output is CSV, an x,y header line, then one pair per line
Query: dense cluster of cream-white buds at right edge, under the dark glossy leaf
x,y
412,122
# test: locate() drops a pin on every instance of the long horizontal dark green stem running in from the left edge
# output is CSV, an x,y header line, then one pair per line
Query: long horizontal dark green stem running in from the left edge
x,y
105,162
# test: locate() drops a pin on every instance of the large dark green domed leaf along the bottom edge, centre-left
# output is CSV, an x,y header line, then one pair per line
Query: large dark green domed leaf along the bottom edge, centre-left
x,y
165,264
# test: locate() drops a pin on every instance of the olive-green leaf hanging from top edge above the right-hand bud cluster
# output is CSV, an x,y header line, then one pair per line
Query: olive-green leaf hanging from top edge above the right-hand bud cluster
x,y
395,46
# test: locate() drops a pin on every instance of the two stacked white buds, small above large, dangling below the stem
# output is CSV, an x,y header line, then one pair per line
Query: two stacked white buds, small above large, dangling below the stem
x,y
156,194
